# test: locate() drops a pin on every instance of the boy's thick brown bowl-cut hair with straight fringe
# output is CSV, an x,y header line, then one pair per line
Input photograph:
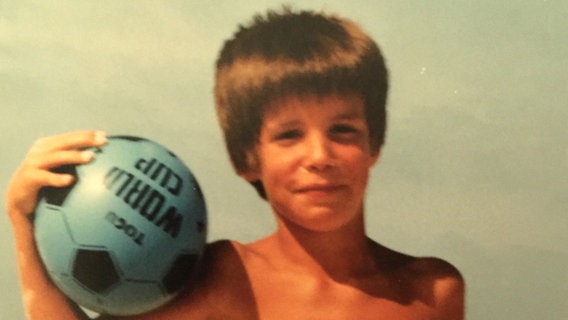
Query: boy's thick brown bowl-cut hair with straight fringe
x,y
286,53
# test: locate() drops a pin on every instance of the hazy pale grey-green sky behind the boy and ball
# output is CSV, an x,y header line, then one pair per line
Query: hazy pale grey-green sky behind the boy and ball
x,y
476,164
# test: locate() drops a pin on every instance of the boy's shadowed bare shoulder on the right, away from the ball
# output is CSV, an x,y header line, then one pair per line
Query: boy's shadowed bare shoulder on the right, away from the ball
x,y
434,282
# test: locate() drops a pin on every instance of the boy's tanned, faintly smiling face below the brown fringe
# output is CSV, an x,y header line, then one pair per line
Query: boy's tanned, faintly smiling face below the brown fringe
x,y
314,159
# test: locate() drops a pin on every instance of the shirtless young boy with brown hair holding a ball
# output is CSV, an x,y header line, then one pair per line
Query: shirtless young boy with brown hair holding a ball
x,y
301,101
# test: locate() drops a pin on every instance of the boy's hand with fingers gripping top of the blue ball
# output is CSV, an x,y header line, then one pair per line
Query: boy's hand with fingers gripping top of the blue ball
x,y
44,155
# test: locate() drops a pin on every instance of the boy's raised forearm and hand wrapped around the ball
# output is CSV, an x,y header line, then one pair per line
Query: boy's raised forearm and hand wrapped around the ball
x,y
42,300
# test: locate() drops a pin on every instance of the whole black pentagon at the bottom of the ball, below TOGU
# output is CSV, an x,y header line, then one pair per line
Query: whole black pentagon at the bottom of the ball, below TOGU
x,y
95,269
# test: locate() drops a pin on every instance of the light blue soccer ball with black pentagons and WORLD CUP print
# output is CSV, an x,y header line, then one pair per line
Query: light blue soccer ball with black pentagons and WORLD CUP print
x,y
128,234
